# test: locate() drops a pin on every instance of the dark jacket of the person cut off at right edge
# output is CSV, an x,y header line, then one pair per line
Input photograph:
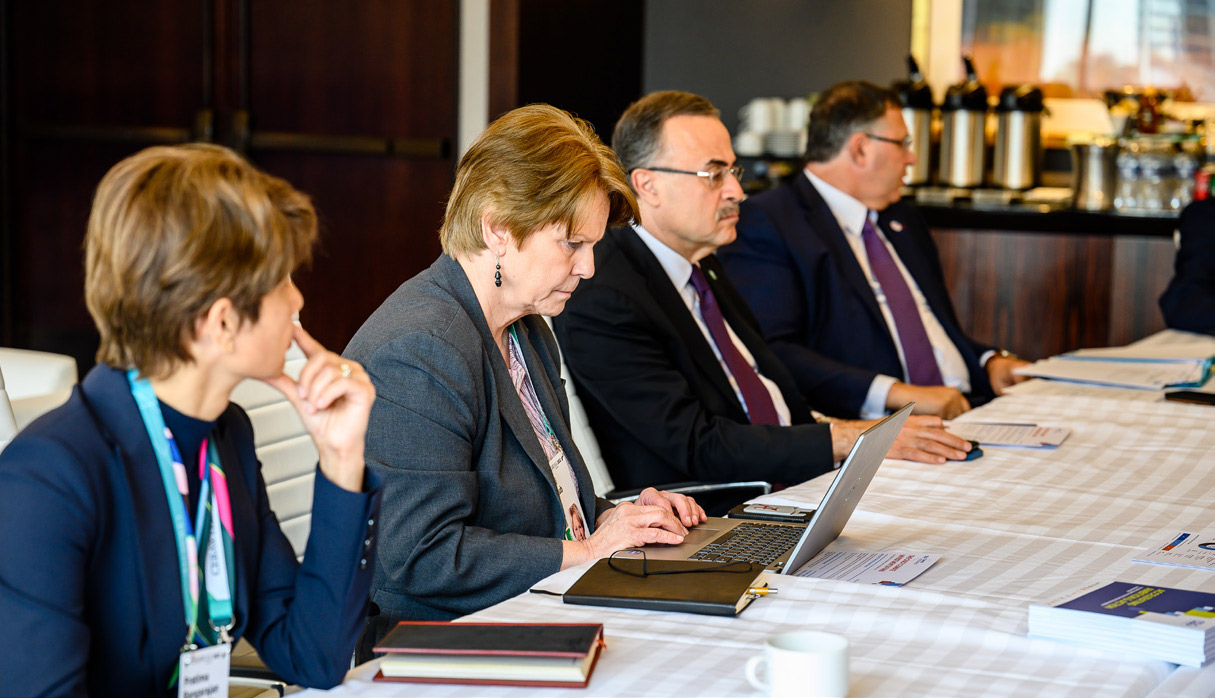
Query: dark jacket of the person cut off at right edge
x,y
1189,303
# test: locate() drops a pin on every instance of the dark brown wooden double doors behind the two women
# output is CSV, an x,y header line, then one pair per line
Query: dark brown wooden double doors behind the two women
x,y
352,103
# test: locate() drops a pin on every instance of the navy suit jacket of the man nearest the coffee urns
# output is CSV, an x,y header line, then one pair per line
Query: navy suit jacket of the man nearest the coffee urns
x,y
795,268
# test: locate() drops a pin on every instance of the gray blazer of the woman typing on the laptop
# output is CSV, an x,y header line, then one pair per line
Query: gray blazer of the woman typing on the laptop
x,y
471,514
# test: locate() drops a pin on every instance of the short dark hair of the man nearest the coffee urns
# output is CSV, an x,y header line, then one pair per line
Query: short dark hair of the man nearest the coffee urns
x,y
841,111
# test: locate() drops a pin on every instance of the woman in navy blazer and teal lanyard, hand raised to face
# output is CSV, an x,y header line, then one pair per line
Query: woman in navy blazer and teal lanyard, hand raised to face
x,y
189,256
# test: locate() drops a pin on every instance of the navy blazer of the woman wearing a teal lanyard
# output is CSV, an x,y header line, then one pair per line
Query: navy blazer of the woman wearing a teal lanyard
x,y
89,584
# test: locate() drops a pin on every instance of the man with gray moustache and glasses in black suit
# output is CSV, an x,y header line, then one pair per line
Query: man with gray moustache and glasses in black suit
x,y
676,379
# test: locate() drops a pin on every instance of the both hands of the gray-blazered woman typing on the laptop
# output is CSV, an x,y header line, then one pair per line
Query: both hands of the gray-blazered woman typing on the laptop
x,y
658,517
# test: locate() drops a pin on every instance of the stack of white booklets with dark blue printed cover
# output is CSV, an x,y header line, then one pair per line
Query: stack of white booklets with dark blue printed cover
x,y
1174,626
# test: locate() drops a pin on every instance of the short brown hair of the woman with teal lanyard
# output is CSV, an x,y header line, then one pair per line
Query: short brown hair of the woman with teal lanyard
x,y
174,229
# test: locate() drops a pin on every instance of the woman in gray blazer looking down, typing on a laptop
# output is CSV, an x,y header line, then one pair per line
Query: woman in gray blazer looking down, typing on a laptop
x,y
484,489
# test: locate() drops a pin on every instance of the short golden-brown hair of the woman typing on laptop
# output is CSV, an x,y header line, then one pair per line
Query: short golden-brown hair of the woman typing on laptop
x,y
533,167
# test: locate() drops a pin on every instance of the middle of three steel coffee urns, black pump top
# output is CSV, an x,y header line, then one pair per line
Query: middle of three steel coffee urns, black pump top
x,y
964,116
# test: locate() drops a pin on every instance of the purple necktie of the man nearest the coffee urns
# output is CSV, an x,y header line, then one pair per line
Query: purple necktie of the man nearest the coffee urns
x,y
923,368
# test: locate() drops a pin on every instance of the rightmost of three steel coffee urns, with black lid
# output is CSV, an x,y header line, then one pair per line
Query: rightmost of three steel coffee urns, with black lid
x,y
1019,136
